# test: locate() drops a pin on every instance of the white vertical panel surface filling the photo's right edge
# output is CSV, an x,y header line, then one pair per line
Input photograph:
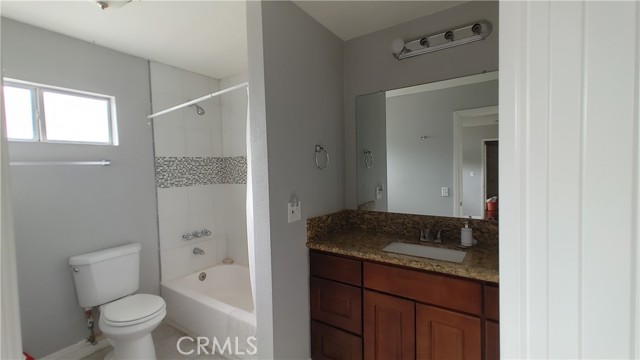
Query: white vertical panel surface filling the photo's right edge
x,y
569,180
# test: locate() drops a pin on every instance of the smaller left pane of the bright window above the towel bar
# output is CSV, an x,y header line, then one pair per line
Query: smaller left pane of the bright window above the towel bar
x,y
19,113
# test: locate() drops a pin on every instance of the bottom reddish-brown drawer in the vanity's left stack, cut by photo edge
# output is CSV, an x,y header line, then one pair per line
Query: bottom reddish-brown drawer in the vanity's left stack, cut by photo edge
x,y
330,343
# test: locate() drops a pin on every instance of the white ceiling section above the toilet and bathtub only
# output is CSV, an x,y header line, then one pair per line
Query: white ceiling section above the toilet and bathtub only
x,y
206,37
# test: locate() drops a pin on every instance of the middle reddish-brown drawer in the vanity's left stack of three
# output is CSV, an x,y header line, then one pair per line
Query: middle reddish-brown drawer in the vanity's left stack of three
x,y
336,304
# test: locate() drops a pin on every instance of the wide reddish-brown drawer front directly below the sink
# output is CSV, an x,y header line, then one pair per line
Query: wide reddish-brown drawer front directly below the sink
x,y
457,294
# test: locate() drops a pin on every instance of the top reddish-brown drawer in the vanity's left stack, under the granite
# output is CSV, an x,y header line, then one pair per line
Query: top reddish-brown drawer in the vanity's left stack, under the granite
x,y
336,268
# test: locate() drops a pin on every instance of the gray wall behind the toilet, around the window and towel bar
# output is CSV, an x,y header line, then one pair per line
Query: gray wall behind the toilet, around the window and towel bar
x,y
62,211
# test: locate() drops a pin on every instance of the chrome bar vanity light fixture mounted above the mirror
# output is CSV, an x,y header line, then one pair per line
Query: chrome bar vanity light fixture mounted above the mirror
x,y
476,31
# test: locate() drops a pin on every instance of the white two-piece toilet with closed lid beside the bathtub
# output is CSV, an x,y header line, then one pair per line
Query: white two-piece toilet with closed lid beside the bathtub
x,y
108,279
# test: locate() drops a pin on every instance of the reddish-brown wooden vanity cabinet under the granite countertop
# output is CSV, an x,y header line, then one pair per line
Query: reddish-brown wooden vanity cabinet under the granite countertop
x,y
362,309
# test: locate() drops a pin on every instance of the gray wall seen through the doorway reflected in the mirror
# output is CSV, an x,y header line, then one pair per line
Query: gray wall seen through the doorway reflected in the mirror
x,y
472,136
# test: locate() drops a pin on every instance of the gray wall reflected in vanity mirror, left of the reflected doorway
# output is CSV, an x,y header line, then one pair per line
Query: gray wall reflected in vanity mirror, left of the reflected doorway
x,y
418,168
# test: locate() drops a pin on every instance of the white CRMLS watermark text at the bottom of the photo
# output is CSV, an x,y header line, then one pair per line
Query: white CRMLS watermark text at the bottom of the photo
x,y
204,345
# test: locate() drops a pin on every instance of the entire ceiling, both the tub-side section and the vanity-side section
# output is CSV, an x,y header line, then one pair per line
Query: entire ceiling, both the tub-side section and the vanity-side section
x,y
206,37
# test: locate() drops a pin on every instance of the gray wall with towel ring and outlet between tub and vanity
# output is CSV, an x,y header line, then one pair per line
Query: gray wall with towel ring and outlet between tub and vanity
x,y
303,67
